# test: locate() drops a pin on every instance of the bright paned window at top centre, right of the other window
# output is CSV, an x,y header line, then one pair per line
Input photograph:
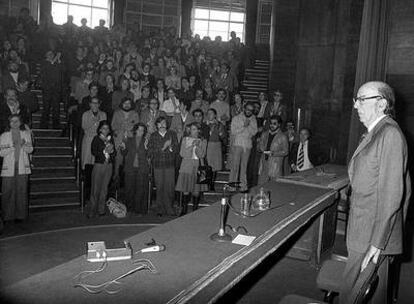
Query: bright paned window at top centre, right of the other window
x,y
219,18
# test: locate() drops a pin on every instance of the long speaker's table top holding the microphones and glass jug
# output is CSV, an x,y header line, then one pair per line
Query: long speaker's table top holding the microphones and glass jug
x,y
193,268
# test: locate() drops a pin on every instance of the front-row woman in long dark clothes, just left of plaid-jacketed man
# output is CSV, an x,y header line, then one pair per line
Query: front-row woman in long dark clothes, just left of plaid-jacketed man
x,y
137,170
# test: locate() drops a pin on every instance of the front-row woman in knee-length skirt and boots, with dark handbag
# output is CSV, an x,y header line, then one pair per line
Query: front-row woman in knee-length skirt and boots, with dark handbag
x,y
192,151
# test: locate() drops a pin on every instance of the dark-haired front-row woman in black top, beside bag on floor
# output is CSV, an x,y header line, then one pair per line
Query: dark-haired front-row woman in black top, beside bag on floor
x,y
103,150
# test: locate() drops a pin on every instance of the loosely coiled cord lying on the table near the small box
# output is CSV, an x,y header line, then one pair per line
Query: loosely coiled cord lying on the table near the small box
x,y
108,286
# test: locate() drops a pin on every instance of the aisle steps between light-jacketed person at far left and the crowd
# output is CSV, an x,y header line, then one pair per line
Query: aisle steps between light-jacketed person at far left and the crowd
x,y
53,181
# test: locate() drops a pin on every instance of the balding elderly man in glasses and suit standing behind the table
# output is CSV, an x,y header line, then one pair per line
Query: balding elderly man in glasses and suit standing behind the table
x,y
381,189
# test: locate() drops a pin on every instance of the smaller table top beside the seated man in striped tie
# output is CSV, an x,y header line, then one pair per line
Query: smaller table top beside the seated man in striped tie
x,y
328,176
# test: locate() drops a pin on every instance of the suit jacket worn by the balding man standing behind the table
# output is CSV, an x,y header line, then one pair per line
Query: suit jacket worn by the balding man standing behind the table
x,y
381,188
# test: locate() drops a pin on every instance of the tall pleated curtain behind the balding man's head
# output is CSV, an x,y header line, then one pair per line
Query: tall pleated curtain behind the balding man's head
x,y
372,57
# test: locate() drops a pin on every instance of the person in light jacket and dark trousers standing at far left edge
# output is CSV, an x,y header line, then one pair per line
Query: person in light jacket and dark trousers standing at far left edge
x,y
15,147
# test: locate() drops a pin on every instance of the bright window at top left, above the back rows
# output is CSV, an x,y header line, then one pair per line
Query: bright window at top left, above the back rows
x,y
92,10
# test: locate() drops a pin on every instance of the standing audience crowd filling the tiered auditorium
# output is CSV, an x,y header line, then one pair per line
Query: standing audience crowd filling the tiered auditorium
x,y
143,106
